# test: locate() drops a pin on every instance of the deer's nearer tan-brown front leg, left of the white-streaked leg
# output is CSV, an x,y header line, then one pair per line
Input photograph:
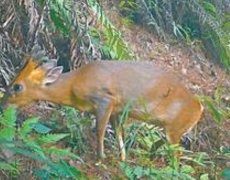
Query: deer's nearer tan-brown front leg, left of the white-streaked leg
x,y
103,113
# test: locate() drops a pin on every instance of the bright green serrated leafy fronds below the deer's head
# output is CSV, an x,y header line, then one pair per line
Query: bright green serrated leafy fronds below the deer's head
x,y
34,141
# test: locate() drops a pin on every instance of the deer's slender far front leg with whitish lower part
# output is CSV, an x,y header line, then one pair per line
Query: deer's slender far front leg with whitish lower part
x,y
119,133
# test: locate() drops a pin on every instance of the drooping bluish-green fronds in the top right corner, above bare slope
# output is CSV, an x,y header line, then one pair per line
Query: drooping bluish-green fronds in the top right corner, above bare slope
x,y
189,20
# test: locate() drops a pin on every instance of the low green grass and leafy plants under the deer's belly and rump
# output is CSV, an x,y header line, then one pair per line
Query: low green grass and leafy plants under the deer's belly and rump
x,y
192,165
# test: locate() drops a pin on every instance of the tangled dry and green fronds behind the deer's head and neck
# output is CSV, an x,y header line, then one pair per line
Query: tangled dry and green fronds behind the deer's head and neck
x,y
67,30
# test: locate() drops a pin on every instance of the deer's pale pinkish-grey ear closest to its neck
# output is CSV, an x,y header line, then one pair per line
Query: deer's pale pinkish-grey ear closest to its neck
x,y
52,75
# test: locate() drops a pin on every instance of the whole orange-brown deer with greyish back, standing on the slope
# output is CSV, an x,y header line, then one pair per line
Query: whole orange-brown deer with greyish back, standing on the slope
x,y
105,87
